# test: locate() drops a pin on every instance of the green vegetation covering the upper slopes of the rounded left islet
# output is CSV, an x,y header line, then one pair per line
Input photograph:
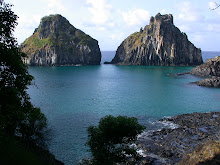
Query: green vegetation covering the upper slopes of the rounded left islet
x,y
63,34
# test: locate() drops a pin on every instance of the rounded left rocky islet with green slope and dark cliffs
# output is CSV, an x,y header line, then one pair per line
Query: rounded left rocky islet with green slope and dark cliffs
x,y
57,42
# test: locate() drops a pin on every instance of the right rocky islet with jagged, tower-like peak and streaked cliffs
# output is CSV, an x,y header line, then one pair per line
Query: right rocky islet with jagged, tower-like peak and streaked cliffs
x,y
160,43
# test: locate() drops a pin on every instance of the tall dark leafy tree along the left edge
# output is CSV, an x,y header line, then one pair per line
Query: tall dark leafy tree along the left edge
x,y
18,117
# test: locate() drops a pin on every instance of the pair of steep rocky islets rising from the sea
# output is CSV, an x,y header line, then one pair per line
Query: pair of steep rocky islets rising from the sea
x,y
57,42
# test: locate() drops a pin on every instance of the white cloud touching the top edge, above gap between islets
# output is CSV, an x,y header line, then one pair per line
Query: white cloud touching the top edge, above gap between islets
x,y
100,10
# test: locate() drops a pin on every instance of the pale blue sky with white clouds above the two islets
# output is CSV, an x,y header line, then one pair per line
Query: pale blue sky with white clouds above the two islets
x,y
111,21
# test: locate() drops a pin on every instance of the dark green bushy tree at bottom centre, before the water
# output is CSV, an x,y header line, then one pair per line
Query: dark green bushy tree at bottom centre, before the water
x,y
111,140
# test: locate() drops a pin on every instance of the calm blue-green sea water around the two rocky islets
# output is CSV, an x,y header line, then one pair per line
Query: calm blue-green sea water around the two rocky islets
x,y
75,97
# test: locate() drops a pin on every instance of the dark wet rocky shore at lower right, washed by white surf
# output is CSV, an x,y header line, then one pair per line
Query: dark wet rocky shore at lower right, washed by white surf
x,y
169,146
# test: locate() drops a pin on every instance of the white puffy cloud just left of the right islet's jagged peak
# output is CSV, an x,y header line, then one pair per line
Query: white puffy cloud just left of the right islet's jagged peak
x,y
136,17
